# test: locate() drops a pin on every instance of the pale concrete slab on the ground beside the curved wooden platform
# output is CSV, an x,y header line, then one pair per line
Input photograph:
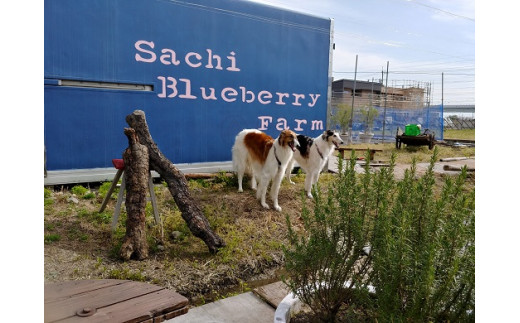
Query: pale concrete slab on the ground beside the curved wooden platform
x,y
245,307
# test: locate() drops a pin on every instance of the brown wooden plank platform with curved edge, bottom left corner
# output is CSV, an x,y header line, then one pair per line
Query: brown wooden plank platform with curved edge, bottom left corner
x,y
111,300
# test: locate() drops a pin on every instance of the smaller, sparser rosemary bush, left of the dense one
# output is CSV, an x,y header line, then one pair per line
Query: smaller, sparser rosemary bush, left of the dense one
x,y
326,266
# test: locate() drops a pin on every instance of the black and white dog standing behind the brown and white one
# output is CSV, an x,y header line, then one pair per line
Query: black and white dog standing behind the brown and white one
x,y
312,154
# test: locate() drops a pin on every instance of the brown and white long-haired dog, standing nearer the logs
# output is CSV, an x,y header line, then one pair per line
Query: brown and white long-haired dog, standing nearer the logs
x,y
265,159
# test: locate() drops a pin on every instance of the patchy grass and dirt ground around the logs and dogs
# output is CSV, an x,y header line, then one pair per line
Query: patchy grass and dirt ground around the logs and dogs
x,y
84,247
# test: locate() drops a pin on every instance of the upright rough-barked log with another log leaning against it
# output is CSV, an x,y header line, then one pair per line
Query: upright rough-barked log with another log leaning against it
x,y
136,176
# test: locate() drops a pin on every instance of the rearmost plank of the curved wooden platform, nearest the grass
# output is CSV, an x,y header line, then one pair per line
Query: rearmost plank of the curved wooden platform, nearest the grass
x,y
56,291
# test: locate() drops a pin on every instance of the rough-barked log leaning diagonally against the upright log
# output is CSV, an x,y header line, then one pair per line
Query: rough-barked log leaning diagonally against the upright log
x,y
177,184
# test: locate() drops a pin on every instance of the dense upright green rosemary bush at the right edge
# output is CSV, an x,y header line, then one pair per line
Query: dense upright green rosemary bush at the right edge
x,y
424,252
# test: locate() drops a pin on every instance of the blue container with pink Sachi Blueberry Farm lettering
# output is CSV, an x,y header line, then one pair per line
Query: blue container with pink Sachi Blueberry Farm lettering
x,y
201,70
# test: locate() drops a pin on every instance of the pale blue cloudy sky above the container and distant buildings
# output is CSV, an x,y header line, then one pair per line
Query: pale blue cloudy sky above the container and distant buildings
x,y
418,39
